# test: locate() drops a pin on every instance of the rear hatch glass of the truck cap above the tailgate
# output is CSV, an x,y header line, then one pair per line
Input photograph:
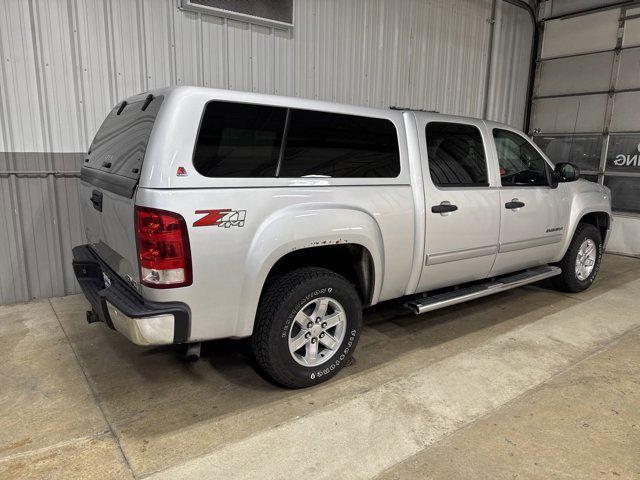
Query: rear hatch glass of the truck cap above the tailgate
x,y
121,142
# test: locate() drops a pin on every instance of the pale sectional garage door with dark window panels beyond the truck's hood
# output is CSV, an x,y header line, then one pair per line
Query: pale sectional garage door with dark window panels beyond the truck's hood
x,y
586,106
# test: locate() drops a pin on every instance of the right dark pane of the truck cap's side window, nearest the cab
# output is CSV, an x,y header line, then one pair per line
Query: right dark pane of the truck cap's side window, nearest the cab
x,y
335,145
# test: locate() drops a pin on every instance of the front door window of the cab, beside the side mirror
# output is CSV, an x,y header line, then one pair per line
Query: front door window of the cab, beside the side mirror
x,y
520,163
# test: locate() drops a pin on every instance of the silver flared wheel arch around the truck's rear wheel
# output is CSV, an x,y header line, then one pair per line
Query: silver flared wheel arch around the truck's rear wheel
x,y
305,226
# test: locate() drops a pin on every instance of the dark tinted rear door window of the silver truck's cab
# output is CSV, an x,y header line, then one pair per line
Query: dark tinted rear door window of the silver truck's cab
x,y
456,155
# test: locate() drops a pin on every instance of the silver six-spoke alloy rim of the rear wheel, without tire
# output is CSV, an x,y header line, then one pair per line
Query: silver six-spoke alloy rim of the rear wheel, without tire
x,y
317,331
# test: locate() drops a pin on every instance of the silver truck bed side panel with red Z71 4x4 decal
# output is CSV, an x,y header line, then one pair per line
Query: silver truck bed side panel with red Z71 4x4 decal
x,y
222,302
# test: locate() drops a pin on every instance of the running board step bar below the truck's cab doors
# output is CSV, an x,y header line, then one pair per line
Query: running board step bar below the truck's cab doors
x,y
495,285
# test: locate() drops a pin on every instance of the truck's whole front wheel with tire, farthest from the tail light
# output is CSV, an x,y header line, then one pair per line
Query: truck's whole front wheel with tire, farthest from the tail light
x,y
581,263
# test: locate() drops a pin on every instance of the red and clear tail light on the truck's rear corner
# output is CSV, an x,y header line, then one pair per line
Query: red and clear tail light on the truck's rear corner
x,y
163,248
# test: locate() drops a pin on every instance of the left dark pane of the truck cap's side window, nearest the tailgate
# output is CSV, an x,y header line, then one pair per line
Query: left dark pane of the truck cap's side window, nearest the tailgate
x,y
238,140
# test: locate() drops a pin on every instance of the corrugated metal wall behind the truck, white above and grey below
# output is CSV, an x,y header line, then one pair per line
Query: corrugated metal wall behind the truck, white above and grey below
x,y
65,63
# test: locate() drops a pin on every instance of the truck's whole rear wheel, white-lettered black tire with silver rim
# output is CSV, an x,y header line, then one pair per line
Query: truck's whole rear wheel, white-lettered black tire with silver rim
x,y
307,327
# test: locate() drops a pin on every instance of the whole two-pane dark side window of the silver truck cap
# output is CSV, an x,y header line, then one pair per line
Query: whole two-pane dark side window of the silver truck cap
x,y
243,140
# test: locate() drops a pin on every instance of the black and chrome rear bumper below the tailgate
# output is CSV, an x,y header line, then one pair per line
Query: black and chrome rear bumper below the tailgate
x,y
123,309
